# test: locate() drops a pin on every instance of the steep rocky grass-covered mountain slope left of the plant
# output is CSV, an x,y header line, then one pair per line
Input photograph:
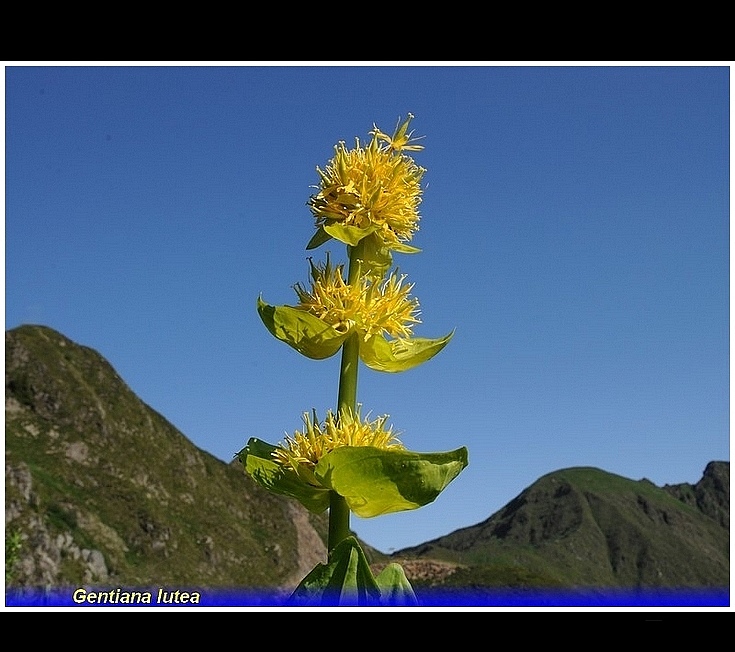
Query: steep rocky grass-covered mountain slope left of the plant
x,y
100,489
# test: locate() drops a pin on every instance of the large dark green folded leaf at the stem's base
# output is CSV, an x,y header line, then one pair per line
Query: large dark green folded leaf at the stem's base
x,y
346,579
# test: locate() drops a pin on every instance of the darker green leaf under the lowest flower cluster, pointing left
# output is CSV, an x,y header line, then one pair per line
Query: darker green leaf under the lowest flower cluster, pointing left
x,y
258,461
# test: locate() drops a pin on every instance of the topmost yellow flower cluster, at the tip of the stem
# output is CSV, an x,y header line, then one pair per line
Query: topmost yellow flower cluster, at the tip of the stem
x,y
375,186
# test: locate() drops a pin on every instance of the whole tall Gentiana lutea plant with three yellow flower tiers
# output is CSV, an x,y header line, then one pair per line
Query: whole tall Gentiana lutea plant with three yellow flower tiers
x,y
368,199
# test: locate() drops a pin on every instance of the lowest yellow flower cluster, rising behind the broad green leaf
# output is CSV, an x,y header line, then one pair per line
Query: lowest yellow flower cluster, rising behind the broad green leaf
x,y
316,440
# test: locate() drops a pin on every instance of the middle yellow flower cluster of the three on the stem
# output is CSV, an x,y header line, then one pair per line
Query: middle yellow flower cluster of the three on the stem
x,y
372,306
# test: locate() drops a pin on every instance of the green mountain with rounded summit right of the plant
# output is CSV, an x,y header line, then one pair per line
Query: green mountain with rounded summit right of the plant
x,y
587,527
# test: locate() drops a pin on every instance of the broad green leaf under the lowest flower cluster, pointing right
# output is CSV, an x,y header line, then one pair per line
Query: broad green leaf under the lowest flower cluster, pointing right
x,y
374,481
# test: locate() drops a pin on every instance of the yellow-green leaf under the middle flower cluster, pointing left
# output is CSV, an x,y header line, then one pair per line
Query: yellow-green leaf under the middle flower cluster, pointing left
x,y
301,330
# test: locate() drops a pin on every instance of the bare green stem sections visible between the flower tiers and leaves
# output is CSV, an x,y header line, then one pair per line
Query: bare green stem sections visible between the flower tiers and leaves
x,y
339,512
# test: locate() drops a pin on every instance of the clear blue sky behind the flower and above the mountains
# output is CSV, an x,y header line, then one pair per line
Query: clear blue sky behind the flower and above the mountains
x,y
575,233
